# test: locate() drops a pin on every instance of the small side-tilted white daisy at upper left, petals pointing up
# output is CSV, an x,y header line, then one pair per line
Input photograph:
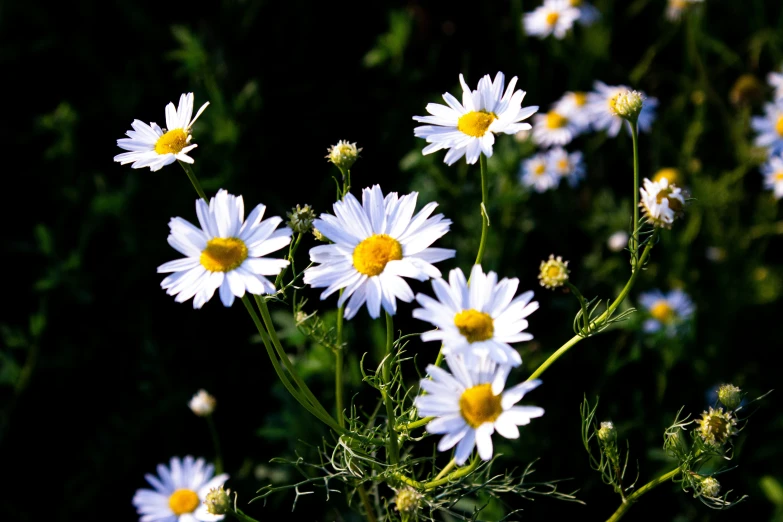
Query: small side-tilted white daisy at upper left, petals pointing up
x,y
153,147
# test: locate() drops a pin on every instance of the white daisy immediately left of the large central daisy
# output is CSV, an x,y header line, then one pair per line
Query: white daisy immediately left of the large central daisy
x,y
226,253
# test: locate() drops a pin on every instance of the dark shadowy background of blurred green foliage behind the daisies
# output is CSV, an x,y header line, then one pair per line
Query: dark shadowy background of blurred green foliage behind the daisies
x,y
99,363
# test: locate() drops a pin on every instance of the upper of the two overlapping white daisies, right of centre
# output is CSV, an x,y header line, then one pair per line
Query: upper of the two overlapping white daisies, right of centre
x,y
480,319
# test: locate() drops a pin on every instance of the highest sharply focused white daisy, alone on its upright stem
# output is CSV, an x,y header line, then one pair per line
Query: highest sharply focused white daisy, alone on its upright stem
x,y
469,128
